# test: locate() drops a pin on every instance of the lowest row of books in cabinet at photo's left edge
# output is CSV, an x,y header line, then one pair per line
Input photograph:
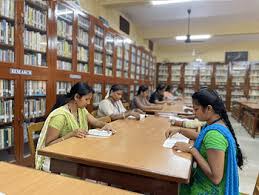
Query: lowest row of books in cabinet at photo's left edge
x,y
6,137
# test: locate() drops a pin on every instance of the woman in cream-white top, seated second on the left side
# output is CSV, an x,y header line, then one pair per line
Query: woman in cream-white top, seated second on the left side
x,y
113,107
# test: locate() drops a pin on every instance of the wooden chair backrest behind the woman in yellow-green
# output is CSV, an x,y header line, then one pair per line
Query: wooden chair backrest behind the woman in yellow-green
x,y
32,128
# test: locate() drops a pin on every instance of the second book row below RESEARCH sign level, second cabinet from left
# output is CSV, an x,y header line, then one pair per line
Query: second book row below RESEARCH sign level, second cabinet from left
x,y
34,108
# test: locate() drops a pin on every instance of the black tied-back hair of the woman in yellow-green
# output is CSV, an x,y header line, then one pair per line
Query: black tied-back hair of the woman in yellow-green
x,y
79,88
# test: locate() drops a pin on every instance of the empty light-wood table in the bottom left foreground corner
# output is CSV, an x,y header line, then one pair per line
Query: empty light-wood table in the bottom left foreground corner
x,y
25,181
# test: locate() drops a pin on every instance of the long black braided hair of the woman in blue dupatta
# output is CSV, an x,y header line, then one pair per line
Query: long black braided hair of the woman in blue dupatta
x,y
205,97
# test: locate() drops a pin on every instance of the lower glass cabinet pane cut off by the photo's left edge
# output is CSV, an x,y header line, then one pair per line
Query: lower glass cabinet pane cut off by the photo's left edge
x,y
6,120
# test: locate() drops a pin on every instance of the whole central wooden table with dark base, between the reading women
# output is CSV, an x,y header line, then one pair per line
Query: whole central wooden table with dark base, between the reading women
x,y
133,158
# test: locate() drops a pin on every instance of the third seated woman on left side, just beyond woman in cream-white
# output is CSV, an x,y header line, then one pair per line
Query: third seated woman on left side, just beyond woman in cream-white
x,y
140,101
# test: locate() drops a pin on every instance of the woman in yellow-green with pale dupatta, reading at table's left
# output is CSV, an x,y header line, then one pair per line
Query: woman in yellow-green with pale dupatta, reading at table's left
x,y
69,119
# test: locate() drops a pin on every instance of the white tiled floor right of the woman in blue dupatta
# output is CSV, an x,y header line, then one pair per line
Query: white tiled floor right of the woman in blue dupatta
x,y
250,149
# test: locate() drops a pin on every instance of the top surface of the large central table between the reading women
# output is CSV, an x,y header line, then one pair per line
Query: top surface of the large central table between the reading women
x,y
135,148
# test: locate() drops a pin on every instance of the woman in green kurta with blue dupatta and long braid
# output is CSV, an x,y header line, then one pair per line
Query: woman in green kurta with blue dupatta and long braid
x,y
216,151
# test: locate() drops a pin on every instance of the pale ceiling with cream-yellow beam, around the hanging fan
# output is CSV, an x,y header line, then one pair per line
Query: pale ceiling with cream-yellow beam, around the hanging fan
x,y
225,20
